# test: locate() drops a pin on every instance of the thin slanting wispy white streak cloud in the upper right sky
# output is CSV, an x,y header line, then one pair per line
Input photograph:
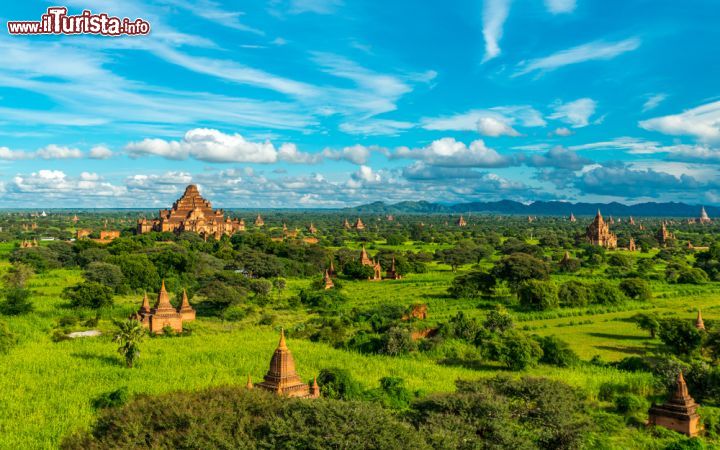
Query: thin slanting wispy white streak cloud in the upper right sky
x,y
593,51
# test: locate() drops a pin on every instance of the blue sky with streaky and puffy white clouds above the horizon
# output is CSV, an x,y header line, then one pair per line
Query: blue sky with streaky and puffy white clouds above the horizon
x,y
327,103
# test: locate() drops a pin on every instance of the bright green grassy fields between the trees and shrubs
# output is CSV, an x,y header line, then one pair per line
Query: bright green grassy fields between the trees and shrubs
x,y
48,386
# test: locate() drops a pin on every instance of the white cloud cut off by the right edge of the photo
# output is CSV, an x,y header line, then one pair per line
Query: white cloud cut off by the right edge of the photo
x,y
702,122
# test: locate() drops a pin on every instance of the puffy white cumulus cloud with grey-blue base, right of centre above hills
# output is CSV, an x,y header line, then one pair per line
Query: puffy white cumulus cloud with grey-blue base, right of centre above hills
x,y
448,152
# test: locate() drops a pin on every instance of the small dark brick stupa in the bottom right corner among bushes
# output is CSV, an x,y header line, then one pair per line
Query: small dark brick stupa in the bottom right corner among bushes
x,y
679,413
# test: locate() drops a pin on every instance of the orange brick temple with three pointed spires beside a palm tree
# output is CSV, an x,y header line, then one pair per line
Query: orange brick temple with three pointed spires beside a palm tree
x,y
164,314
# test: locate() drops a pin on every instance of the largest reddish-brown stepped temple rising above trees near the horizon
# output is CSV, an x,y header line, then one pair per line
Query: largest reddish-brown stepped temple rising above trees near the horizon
x,y
191,213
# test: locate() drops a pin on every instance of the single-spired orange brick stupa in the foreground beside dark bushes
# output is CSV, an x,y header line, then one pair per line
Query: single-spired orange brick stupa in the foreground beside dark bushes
x,y
282,379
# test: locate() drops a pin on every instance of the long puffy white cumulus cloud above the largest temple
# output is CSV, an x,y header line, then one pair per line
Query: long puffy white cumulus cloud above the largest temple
x,y
212,145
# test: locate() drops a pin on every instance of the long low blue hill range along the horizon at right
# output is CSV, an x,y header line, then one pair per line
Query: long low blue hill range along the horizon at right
x,y
671,209
